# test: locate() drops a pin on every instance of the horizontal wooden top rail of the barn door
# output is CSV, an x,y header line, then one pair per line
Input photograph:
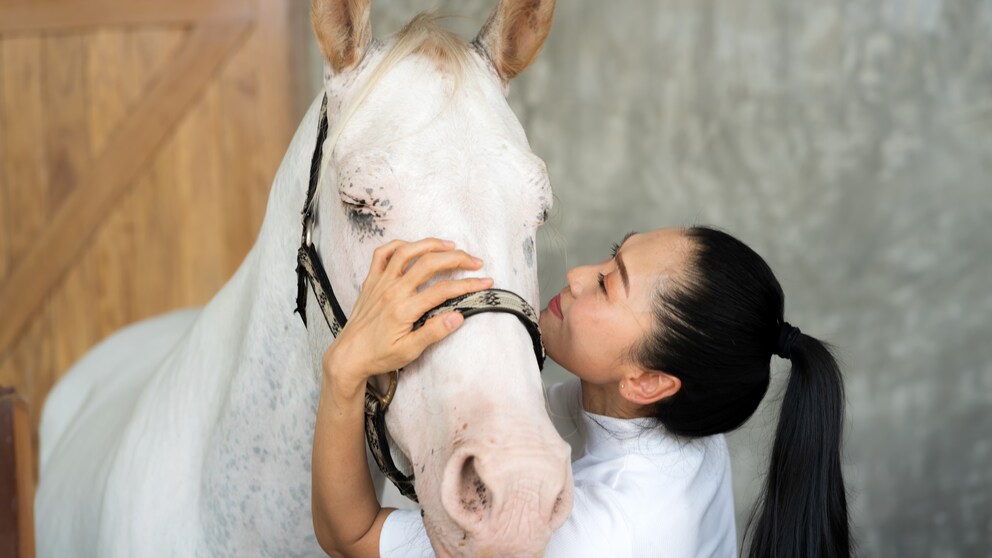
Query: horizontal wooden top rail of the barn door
x,y
47,16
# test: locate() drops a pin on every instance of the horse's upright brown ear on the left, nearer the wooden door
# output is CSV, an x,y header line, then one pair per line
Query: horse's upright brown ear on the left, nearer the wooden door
x,y
343,29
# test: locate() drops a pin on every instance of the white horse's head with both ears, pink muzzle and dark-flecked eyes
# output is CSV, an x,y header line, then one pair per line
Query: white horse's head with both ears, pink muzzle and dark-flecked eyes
x,y
422,143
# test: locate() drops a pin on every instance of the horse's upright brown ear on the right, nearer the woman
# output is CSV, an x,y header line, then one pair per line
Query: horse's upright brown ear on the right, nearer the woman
x,y
514,34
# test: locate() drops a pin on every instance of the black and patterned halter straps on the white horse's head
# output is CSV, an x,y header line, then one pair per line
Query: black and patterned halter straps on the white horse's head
x,y
309,268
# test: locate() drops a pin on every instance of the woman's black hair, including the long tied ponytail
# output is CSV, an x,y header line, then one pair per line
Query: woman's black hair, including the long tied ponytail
x,y
717,326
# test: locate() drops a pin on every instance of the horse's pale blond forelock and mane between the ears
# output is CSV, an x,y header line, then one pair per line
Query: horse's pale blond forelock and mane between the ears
x,y
424,35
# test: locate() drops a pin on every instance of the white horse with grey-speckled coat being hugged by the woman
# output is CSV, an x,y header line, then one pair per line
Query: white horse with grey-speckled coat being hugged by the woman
x,y
190,434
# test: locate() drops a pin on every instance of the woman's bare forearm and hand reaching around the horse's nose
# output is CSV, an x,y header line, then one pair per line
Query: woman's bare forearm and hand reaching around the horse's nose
x,y
347,518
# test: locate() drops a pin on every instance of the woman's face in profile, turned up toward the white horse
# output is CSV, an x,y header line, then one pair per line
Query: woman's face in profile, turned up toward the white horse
x,y
607,307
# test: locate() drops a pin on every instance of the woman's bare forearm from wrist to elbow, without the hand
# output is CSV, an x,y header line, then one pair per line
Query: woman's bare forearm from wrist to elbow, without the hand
x,y
346,514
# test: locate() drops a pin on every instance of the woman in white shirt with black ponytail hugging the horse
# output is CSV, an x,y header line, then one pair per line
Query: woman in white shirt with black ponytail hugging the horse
x,y
671,339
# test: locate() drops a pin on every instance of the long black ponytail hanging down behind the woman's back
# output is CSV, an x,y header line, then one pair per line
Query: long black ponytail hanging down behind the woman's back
x,y
803,509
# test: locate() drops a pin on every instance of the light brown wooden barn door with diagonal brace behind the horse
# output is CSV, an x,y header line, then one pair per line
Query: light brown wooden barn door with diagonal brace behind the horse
x,y
138,142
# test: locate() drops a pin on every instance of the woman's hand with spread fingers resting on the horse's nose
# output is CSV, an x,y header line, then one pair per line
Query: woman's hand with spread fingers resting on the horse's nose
x,y
379,336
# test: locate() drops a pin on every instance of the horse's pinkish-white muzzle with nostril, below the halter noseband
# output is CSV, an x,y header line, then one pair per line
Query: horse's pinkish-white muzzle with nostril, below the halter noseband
x,y
492,475
